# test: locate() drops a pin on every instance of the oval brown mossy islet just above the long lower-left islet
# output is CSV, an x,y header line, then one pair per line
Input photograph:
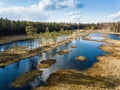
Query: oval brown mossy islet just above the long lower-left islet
x,y
46,63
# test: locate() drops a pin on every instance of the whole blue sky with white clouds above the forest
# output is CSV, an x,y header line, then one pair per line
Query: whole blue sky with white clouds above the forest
x,y
71,11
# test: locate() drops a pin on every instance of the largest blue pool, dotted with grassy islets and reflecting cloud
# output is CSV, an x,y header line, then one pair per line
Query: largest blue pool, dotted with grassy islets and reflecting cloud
x,y
85,48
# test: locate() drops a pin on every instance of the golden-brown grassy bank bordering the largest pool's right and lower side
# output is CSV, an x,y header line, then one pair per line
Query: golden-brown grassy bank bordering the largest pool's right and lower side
x,y
104,75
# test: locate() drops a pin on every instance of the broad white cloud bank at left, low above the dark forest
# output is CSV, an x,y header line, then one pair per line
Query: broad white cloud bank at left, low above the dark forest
x,y
23,13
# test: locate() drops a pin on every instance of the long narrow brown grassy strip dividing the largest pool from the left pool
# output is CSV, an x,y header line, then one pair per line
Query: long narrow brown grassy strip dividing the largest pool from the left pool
x,y
38,51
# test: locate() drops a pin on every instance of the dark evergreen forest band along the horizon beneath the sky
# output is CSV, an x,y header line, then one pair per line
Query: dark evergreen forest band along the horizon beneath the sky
x,y
11,27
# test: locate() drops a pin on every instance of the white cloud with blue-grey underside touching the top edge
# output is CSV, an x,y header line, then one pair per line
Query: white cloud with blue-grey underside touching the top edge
x,y
59,4
